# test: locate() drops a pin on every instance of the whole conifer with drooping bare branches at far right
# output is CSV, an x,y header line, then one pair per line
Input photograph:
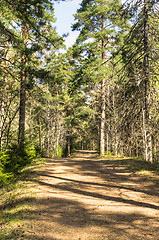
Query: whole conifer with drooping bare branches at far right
x,y
139,56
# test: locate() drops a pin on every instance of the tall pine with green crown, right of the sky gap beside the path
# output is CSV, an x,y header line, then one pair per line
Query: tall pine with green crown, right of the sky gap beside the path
x,y
96,21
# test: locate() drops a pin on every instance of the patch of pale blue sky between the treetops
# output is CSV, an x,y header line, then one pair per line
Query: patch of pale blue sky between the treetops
x,y
64,14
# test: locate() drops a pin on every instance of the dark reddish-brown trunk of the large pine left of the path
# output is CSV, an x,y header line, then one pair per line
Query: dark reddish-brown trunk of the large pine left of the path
x,y
21,136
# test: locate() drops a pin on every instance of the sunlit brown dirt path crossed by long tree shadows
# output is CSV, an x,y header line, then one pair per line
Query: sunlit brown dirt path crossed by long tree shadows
x,y
87,198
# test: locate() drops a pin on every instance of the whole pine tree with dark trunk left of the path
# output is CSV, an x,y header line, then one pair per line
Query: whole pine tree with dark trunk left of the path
x,y
28,27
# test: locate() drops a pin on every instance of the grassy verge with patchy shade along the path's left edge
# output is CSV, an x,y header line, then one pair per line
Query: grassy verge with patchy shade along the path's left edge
x,y
16,202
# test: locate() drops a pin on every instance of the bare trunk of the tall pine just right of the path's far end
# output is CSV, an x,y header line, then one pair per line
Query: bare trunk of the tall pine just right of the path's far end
x,y
103,88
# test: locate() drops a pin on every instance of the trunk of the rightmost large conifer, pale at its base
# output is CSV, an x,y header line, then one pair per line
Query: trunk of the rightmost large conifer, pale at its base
x,y
147,130
